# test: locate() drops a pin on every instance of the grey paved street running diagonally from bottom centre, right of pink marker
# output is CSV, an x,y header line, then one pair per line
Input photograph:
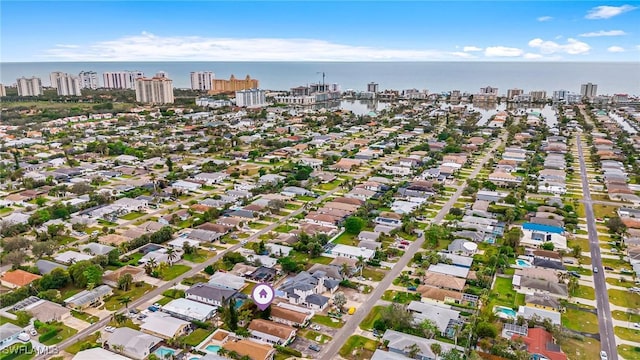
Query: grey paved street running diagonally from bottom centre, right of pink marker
x,y
331,350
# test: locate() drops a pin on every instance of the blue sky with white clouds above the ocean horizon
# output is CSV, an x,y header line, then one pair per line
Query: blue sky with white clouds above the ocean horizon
x,y
46,31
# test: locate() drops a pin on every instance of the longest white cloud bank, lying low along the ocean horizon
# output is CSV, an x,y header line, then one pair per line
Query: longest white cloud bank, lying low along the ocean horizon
x,y
150,47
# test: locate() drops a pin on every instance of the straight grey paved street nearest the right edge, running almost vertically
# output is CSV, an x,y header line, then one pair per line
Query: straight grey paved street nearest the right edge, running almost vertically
x,y
607,336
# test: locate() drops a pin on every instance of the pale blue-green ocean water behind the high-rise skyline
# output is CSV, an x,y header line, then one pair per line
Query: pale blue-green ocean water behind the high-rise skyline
x,y
434,76
